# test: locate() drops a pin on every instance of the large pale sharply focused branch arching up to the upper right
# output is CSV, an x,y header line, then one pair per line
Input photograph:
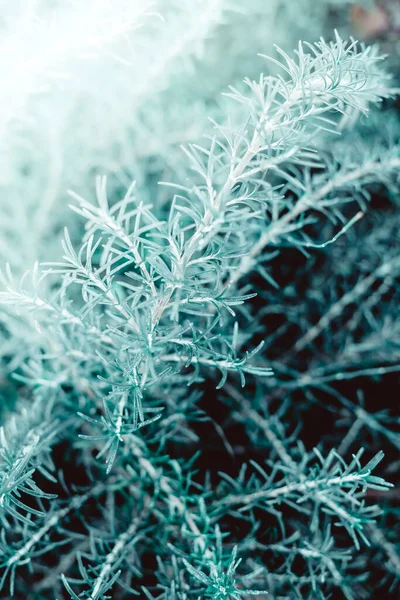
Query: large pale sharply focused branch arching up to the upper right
x,y
158,294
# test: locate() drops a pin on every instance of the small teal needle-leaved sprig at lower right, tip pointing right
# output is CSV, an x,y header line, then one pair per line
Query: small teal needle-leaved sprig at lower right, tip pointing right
x,y
334,487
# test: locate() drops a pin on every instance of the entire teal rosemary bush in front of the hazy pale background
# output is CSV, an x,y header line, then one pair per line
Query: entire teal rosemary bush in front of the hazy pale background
x,y
231,311
